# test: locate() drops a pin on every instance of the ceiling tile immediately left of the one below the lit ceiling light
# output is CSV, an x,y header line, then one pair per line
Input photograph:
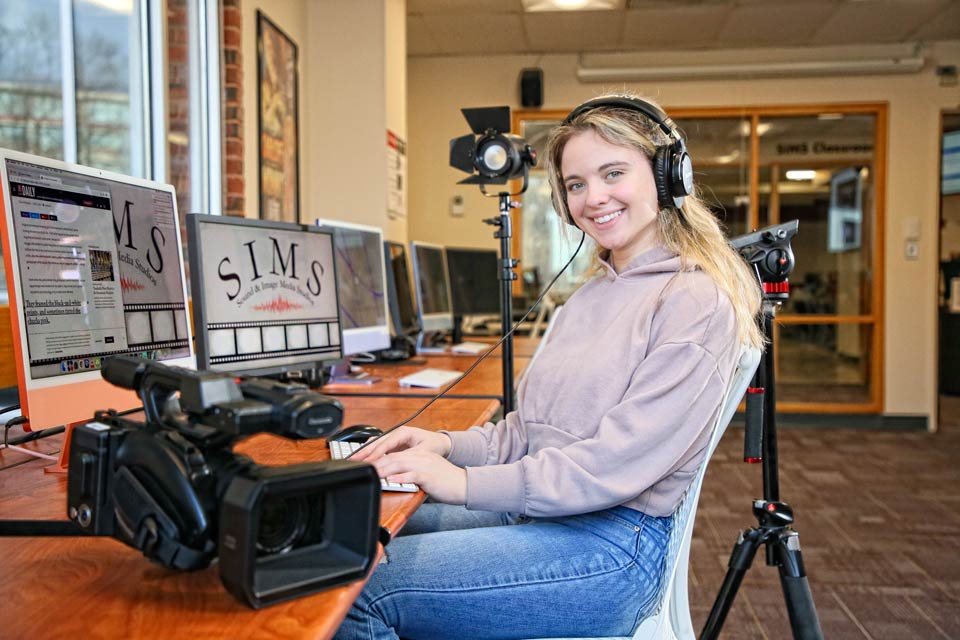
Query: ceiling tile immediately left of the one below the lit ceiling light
x,y
491,33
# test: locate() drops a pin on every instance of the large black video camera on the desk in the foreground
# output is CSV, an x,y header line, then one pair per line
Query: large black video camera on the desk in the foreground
x,y
171,487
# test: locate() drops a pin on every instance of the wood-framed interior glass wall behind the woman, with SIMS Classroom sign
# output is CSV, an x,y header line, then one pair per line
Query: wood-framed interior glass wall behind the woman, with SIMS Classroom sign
x,y
756,167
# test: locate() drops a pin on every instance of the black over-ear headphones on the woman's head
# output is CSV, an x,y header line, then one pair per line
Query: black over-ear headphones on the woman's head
x,y
672,167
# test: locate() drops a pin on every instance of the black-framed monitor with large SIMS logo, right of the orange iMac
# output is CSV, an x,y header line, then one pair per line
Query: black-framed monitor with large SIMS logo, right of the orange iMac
x,y
264,295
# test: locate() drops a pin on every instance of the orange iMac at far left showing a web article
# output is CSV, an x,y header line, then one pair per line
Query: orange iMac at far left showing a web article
x,y
94,269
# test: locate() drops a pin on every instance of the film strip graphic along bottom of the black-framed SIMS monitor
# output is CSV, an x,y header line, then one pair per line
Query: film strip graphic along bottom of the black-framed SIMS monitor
x,y
229,342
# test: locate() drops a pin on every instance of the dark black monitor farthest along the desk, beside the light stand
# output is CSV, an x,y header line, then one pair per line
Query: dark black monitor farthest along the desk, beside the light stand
x,y
473,281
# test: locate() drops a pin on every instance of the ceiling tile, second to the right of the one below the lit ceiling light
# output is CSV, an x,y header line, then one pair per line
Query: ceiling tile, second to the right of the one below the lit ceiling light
x,y
774,23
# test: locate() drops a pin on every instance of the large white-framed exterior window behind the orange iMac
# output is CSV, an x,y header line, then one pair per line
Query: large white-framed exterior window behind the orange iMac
x,y
130,86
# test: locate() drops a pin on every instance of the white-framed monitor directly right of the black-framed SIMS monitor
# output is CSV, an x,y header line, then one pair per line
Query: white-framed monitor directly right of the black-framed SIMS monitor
x,y
362,282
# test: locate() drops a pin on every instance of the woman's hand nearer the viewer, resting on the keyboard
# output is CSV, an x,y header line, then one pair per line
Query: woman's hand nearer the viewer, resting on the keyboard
x,y
440,479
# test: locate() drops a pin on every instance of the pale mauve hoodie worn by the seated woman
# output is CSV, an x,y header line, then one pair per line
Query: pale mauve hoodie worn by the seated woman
x,y
618,406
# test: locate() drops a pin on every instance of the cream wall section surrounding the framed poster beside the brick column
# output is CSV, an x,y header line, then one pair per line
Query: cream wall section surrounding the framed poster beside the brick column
x,y
352,61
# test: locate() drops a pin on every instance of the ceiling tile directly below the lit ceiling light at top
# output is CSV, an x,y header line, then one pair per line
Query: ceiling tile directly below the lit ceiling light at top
x,y
574,31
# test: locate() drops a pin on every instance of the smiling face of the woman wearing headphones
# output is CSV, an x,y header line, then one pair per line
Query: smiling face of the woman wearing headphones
x,y
611,195
